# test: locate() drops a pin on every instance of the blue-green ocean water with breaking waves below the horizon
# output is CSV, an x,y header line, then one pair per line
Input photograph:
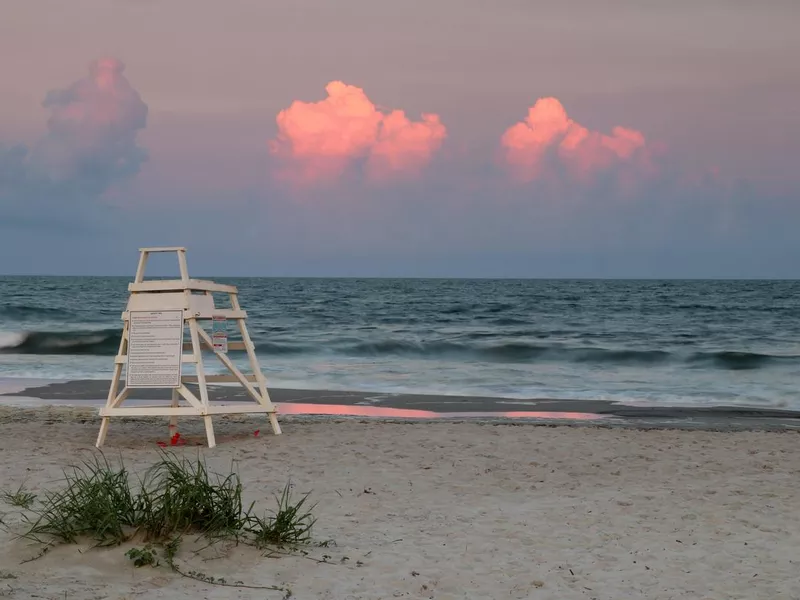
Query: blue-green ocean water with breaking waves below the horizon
x,y
647,342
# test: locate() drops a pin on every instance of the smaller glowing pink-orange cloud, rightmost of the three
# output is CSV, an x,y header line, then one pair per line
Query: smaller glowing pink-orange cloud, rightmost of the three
x,y
549,144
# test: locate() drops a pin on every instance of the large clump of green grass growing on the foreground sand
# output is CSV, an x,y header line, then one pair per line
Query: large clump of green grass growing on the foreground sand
x,y
175,497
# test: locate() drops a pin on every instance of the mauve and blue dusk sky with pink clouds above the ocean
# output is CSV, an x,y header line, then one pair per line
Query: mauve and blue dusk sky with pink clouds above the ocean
x,y
456,138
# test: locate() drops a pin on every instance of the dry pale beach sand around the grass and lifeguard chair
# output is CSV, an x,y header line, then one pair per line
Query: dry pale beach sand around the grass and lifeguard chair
x,y
453,511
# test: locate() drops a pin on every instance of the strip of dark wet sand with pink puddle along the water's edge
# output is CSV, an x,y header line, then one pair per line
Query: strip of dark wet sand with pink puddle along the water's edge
x,y
430,407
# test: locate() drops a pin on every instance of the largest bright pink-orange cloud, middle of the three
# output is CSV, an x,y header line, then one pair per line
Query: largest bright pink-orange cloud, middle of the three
x,y
318,141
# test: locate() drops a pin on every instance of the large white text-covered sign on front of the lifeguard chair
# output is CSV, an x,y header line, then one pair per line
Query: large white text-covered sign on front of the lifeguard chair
x,y
155,349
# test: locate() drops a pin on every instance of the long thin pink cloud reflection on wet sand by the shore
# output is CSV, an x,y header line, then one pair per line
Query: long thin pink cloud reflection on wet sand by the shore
x,y
292,408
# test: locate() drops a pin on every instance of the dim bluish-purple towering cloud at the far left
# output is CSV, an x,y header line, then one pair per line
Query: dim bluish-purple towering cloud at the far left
x,y
89,146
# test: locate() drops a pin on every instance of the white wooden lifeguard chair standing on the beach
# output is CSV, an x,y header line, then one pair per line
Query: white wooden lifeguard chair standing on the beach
x,y
152,350
